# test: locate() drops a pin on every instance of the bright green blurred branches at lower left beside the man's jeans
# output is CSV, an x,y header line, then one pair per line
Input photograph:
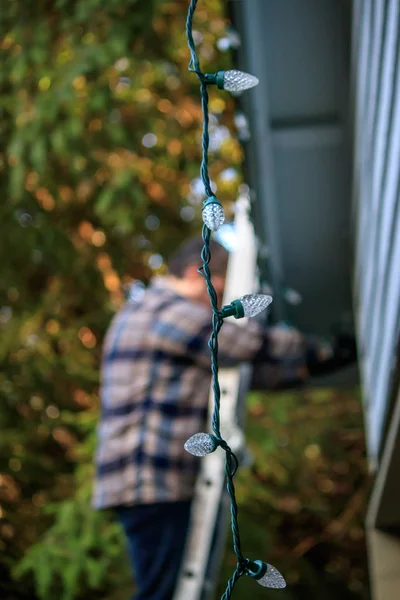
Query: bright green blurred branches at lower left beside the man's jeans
x,y
82,553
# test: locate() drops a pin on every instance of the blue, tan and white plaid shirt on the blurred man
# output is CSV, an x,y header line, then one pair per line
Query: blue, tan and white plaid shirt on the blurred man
x,y
154,396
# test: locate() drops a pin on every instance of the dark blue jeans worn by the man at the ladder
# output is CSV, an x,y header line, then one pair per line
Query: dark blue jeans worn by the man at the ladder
x,y
156,535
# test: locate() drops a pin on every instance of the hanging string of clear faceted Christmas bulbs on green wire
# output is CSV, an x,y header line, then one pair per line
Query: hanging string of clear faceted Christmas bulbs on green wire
x,y
202,444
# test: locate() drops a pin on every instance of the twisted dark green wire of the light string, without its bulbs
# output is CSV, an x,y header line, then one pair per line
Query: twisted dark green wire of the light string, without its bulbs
x,y
217,319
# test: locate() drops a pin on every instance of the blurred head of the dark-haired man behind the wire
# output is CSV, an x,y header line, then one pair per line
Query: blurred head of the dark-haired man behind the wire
x,y
184,264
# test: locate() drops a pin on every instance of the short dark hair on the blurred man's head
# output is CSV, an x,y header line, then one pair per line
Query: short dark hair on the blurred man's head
x,y
189,255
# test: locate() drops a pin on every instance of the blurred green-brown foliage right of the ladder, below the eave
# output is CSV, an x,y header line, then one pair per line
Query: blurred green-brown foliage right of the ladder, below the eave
x,y
302,503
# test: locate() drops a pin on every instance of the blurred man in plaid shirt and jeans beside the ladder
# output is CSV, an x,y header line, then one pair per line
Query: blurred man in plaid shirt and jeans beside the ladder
x,y
154,395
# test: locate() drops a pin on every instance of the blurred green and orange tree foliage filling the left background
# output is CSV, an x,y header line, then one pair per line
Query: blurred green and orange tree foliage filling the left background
x,y
100,125
